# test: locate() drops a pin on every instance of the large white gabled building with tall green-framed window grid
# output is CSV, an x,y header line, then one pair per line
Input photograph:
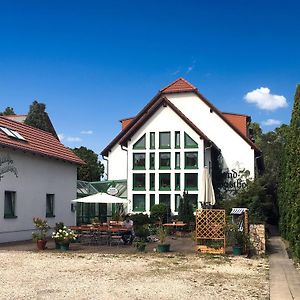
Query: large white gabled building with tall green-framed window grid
x,y
163,150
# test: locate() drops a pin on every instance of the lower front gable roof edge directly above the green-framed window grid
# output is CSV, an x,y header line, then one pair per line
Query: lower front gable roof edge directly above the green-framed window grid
x,y
161,101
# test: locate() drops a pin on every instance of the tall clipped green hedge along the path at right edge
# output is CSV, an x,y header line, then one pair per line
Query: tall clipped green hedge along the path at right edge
x,y
289,196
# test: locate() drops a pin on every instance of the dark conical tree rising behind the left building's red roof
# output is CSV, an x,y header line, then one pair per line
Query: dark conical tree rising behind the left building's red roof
x,y
38,118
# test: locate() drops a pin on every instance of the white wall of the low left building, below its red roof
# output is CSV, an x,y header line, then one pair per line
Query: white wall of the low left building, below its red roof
x,y
37,176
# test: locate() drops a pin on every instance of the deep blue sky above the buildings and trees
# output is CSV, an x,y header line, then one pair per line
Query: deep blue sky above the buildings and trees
x,y
95,62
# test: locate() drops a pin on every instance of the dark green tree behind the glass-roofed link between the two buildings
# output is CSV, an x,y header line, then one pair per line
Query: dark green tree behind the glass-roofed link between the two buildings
x,y
93,170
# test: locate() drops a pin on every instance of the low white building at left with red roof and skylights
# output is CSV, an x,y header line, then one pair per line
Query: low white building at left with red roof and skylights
x,y
37,179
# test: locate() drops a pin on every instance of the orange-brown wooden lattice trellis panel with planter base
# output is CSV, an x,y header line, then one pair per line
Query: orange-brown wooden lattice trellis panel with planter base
x,y
210,227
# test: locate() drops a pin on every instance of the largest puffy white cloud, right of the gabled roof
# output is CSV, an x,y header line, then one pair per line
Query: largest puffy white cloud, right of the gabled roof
x,y
265,100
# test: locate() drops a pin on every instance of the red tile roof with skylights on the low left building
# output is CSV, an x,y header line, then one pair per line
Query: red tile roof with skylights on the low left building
x,y
37,141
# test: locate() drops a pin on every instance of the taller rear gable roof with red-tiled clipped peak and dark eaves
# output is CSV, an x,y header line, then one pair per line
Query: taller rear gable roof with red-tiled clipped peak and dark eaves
x,y
178,86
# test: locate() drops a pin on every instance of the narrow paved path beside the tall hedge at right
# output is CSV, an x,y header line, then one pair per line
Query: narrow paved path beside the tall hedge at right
x,y
284,278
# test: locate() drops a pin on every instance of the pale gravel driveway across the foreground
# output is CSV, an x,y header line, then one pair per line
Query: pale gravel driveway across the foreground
x,y
84,275
